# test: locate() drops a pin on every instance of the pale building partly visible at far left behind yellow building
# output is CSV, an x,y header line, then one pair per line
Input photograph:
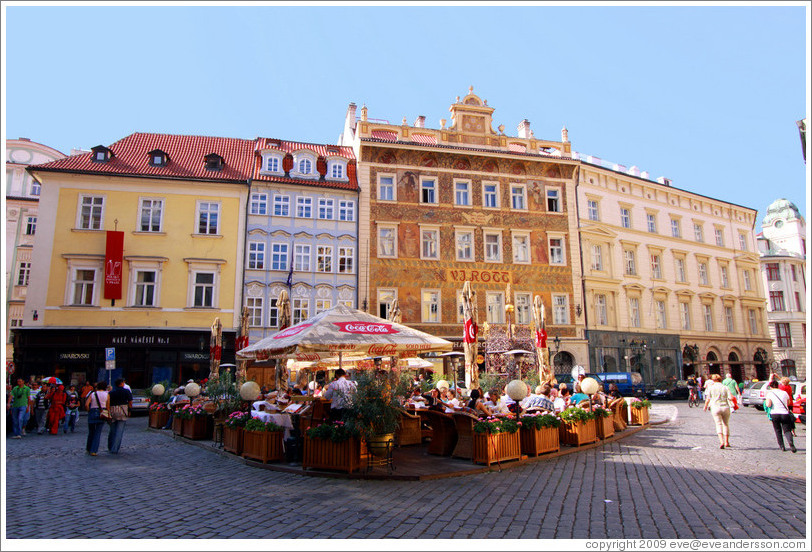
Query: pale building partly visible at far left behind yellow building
x,y
22,205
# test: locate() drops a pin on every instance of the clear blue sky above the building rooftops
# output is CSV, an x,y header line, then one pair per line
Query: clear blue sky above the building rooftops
x,y
706,96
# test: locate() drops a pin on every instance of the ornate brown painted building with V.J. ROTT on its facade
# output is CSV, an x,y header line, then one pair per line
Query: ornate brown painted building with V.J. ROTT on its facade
x,y
465,202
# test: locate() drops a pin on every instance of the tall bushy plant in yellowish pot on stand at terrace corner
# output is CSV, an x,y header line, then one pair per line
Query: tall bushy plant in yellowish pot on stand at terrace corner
x,y
375,409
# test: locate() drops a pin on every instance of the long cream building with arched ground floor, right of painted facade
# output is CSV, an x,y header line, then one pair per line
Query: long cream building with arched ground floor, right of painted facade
x,y
671,278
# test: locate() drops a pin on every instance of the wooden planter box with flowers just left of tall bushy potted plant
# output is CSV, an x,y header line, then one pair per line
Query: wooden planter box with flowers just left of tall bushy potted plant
x,y
333,446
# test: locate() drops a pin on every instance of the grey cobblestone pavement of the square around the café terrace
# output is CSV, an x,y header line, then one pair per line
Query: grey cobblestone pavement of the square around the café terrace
x,y
669,481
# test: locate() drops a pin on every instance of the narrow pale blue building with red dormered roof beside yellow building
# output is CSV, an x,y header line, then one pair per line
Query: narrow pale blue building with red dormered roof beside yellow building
x,y
302,224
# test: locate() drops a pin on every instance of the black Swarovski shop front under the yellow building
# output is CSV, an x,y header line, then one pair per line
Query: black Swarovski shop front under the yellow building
x,y
143,357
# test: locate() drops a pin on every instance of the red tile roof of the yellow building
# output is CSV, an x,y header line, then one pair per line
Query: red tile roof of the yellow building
x,y
186,158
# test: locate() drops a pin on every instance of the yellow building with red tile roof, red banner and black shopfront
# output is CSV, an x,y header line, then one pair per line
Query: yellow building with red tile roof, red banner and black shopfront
x,y
178,205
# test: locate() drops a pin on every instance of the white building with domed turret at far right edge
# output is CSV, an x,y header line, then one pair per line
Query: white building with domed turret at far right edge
x,y
782,245
